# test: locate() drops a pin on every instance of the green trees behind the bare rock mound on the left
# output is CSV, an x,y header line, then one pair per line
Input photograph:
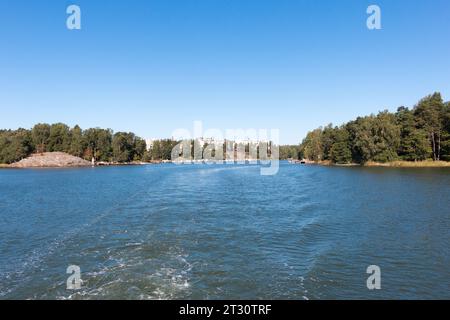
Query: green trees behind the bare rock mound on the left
x,y
101,144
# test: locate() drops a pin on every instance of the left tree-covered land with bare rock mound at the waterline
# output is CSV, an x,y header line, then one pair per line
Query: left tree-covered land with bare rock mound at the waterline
x,y
57,145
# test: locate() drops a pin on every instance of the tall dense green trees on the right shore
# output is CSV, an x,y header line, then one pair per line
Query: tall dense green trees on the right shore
x,y
416,134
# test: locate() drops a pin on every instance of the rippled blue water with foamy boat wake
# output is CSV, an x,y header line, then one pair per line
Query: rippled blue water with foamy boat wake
x,y
224,232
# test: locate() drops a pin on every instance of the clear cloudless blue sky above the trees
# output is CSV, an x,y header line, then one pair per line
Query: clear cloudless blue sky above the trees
x,y
157,65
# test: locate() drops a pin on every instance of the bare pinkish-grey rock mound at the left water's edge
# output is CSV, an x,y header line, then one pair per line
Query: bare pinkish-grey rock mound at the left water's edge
x,y
51,160
